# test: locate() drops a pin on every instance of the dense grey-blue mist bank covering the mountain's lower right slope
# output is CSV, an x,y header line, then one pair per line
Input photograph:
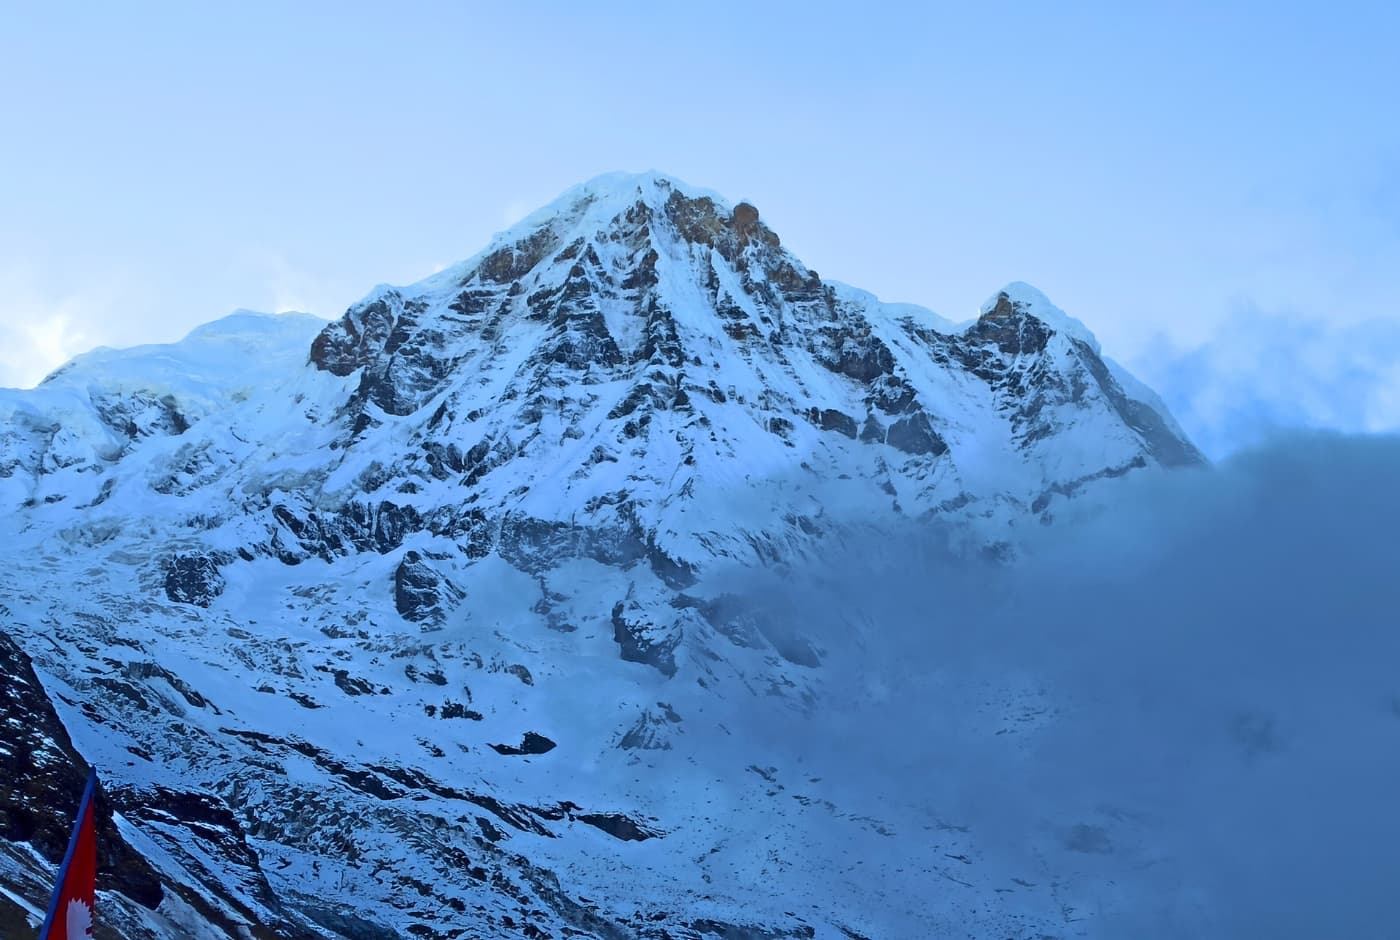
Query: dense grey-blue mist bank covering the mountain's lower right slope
x,y
1193,691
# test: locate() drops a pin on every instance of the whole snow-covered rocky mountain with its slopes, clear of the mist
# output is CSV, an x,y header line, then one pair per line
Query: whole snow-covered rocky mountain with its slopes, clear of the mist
x,y
422,623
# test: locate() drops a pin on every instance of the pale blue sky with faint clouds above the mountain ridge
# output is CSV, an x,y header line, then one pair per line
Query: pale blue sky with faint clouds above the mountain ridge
x,y
1153,173
